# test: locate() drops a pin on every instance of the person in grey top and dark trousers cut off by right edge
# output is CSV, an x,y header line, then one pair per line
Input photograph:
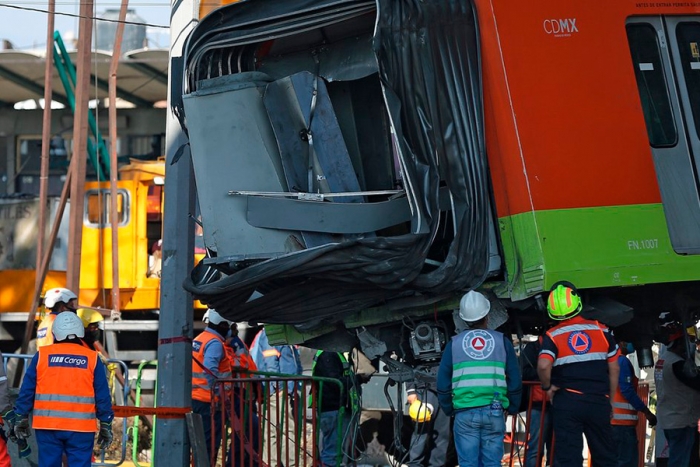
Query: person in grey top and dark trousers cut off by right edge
x,y
678,406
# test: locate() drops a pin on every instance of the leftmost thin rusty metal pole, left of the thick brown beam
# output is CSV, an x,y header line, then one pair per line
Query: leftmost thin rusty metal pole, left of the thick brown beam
x,y
45,136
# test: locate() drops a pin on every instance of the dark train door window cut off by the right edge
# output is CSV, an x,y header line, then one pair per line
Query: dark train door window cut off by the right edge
x,y
688,37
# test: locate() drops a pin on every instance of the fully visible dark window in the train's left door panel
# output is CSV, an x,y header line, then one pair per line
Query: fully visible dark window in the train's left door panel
x,y
651,82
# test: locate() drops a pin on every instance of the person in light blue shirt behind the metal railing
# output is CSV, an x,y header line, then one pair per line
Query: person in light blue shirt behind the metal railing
x,y
283,416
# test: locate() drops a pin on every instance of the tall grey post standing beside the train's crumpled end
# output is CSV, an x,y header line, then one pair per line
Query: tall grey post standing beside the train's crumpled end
x,y
174,387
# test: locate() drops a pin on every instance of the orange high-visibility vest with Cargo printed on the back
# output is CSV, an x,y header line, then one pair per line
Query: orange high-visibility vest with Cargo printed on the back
x,y
65,394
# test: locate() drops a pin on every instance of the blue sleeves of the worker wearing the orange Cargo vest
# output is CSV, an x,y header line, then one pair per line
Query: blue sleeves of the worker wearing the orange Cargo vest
x,y
103,399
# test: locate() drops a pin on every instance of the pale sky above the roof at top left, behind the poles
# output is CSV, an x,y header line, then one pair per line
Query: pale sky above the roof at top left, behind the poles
x,y
27,29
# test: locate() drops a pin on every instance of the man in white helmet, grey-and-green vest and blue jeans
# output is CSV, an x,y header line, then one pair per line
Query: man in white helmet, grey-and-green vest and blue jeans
x,y
478,379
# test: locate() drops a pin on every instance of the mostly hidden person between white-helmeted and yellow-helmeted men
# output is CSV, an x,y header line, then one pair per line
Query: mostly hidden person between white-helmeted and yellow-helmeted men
x,y
540,416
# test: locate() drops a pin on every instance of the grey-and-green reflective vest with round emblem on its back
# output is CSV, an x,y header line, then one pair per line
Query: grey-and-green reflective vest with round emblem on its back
x,y
478,369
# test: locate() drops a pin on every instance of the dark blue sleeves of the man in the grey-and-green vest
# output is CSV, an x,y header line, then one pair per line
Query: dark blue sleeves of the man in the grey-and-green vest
x,y
513,380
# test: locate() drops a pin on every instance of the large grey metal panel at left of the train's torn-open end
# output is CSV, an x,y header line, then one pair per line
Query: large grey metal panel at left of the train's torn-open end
x,y
233,132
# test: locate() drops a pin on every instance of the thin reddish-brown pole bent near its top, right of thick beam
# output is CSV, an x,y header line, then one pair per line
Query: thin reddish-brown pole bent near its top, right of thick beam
x,y
113,173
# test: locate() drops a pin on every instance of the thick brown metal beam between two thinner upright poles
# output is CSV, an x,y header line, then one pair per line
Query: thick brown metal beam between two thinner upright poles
x,y
80,138
